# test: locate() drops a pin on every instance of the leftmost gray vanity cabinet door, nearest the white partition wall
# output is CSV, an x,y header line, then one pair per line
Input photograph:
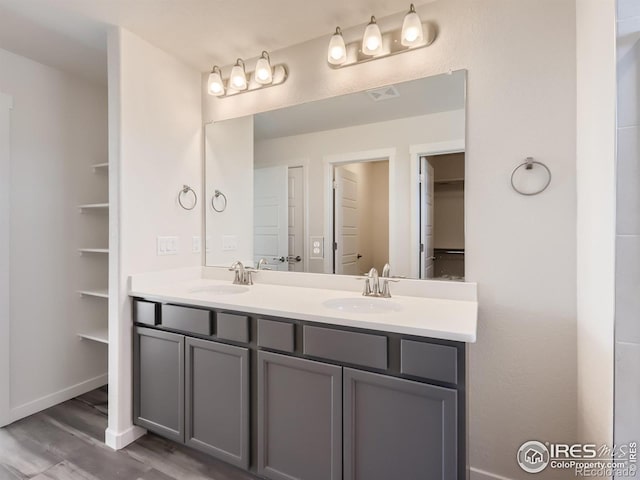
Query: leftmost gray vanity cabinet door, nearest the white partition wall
x,y
159,382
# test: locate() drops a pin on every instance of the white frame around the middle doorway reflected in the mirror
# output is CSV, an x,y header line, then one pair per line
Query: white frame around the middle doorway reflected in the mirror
x,y
364,156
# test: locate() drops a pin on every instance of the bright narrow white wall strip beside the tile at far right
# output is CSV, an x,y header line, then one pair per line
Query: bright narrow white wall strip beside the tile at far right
x,y
596,216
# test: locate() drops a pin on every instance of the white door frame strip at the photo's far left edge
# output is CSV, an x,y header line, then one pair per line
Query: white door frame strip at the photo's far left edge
x,y
6,105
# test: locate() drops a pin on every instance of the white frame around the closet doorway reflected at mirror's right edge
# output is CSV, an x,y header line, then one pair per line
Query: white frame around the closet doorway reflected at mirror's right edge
x,y
415,152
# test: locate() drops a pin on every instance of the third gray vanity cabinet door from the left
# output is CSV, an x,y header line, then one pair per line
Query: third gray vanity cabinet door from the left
x,y
299,418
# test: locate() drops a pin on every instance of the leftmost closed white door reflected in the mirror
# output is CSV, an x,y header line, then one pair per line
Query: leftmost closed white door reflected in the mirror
x,y
270,222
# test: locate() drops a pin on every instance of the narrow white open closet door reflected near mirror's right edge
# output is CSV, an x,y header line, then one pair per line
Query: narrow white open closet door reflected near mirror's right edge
x,y
426,219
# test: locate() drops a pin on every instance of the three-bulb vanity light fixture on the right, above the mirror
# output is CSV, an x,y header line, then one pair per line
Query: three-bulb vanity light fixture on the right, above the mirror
x,y
375,44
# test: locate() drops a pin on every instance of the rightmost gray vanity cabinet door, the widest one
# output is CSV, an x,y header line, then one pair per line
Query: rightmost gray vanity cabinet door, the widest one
x,y
395,428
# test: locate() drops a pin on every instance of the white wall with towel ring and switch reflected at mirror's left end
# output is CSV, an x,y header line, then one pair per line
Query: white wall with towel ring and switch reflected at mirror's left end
x,y
229,148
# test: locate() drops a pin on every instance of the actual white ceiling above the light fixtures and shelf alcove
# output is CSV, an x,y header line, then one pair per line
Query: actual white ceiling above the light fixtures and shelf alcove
x,y
200,32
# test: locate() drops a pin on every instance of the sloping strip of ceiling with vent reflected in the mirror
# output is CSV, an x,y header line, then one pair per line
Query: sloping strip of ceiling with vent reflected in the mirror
x,y
428,95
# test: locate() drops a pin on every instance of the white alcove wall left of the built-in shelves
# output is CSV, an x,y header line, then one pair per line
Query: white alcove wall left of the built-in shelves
x,y
58,129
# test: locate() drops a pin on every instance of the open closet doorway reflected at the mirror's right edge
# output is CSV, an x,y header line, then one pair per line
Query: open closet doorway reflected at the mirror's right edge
x,y
442,216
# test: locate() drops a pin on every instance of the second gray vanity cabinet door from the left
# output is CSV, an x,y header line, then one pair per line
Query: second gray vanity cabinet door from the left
x,y
217,400
